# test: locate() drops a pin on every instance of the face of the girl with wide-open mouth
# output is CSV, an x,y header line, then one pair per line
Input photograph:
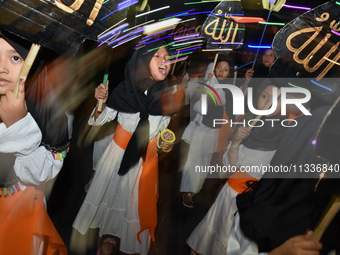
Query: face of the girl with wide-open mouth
x,y
159,71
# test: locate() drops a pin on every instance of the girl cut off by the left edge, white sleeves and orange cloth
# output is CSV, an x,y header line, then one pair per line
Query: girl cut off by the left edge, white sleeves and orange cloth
x,y
27,156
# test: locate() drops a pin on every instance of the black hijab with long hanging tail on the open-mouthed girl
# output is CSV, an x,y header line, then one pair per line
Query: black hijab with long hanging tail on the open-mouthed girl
x,y
129,96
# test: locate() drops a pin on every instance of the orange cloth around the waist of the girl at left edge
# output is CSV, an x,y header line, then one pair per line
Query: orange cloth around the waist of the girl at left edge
x,y
23,215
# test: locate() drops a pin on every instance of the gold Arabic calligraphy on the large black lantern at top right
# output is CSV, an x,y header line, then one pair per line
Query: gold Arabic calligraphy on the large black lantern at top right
x,y
316,31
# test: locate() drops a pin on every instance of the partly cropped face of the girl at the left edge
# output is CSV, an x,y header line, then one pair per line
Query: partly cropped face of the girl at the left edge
x,y
10,65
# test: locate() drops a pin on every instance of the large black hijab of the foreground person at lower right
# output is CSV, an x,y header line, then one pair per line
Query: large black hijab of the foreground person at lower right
x,y
280,208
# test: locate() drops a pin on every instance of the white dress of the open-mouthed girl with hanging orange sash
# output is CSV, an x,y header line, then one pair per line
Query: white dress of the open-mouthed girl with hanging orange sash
x,y
111,203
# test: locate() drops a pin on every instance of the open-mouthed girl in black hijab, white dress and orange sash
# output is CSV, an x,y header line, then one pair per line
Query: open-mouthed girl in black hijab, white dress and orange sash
x,y
122,199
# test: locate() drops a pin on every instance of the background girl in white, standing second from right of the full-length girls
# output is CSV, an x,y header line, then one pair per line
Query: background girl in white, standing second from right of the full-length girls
x,y
202,139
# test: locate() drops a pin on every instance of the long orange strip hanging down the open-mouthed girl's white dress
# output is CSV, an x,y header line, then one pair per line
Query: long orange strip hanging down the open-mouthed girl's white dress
x,y
148,191
